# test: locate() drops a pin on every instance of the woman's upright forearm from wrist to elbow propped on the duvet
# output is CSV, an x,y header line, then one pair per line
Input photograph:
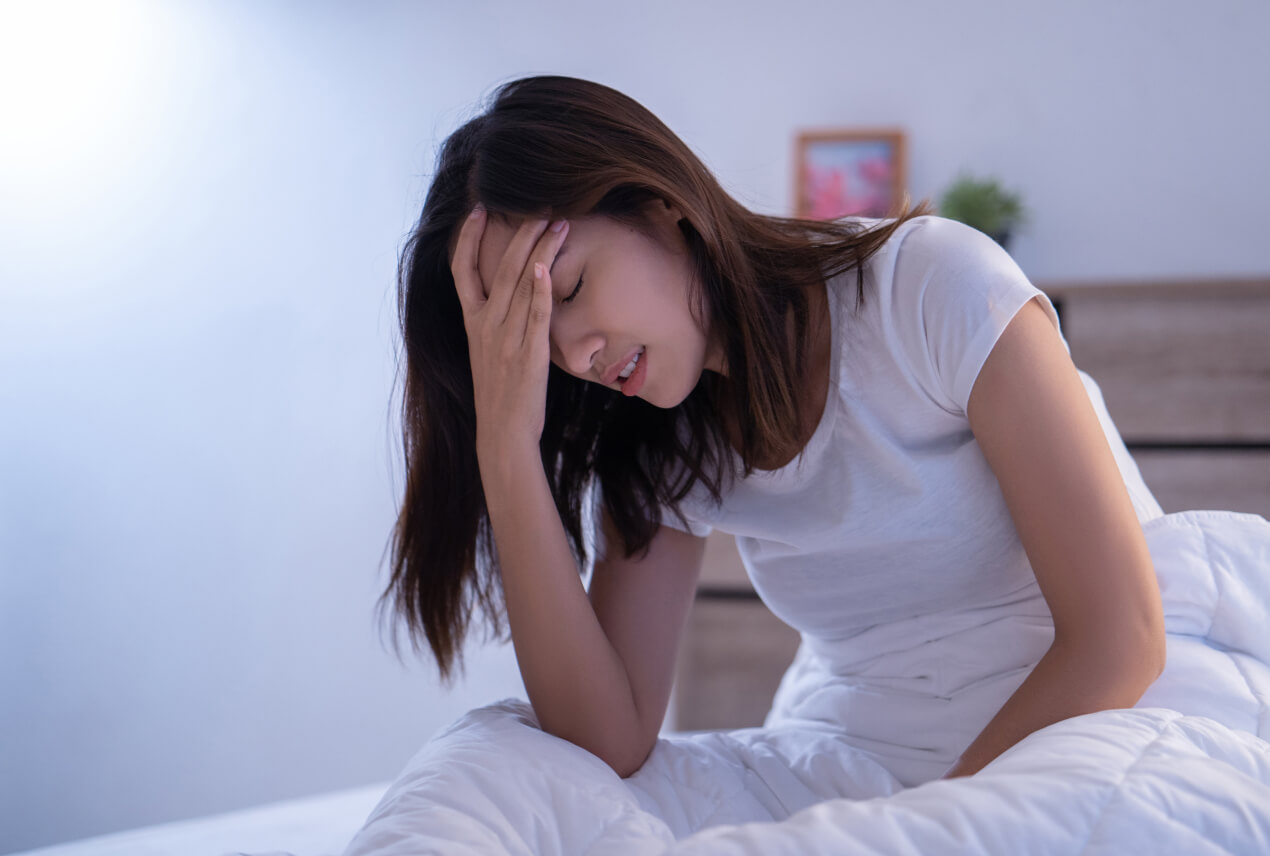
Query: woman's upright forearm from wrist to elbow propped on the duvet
x,y
576,681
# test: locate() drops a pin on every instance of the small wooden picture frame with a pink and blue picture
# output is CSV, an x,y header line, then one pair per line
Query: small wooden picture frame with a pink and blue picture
x,y
849,172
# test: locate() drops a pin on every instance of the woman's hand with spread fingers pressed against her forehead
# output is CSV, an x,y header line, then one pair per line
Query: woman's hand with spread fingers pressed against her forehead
x,y
507,323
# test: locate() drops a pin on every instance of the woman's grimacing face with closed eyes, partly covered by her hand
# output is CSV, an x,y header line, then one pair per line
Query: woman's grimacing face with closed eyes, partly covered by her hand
x,y
634,298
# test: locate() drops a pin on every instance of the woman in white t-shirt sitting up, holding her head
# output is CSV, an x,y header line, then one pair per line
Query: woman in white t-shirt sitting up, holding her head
x,y
885,412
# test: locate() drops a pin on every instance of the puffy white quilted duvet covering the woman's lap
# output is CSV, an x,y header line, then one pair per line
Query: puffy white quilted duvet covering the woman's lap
x,y
1187,772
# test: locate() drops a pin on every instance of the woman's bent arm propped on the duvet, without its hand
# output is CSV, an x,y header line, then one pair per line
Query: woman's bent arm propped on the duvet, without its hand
x,y
598,671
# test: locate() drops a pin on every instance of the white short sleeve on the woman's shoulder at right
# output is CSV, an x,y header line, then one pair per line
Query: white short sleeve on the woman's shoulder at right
x,y
954,293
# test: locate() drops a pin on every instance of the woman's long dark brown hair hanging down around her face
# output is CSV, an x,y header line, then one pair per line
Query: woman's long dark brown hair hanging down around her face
x,y
568,148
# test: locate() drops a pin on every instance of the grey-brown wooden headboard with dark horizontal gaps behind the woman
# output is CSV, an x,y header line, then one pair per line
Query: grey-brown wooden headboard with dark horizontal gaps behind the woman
x,y
1184,368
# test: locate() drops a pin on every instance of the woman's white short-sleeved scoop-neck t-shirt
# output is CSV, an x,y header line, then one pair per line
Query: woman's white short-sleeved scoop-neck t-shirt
x,y
892,511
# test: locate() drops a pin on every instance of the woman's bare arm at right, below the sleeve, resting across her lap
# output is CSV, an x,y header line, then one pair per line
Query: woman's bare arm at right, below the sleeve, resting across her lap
x,y
1042,438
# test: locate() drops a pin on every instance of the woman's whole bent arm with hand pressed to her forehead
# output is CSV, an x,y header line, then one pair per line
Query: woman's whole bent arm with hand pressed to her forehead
x,y
596,676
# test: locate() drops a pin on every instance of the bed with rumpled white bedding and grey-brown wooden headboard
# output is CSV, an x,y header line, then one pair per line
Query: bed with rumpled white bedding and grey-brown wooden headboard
x,y
1186,772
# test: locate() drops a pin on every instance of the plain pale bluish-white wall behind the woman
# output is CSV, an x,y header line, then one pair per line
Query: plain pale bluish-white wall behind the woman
x,y
199,463
